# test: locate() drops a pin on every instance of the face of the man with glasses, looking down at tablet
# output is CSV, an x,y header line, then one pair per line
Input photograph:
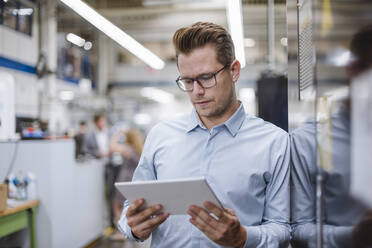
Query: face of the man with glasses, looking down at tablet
x,y
212,102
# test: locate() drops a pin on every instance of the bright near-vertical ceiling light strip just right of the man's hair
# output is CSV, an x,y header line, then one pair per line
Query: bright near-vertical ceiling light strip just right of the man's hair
x,y
235,20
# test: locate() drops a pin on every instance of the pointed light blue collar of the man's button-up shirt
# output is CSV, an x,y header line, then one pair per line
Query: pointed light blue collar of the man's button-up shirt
x,y
233,124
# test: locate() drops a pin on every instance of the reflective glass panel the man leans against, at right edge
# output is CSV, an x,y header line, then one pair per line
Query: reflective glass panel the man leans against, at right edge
x,y
329,198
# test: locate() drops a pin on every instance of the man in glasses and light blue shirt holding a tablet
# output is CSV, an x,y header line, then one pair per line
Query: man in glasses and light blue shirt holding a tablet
x,y
244,159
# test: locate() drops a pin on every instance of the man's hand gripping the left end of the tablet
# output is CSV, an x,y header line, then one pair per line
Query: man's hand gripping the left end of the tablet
x,y
143,222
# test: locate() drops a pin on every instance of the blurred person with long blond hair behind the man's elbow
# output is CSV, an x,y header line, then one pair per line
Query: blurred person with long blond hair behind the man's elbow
x,y
130,150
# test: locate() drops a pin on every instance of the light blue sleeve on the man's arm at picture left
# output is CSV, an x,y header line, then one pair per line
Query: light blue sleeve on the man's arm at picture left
x,y
144,171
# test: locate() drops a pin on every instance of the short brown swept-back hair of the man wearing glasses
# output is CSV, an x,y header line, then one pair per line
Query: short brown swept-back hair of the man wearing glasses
x,y
199,34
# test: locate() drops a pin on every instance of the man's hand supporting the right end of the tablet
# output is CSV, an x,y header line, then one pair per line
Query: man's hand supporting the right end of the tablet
x,y
225,231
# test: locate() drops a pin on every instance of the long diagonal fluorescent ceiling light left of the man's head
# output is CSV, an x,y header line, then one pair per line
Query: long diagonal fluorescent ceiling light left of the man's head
x,y
114,33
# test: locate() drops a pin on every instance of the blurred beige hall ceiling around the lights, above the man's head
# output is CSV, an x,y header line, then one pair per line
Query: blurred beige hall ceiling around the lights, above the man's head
x,y
153,22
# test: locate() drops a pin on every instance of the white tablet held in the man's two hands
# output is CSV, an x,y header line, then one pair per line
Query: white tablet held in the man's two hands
x,y
174,195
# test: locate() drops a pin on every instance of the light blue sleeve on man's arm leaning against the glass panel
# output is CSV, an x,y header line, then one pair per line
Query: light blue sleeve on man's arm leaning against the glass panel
x,y
275,229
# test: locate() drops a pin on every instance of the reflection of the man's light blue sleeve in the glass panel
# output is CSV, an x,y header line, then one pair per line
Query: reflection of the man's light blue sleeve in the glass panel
x,y
303,166
